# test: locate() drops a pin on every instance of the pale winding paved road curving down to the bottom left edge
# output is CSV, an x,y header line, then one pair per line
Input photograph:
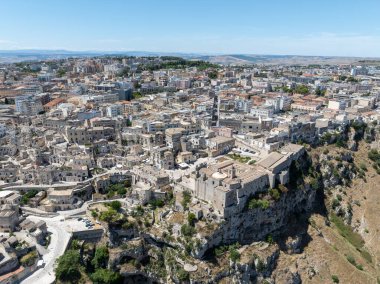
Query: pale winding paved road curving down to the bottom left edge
x,y
58,243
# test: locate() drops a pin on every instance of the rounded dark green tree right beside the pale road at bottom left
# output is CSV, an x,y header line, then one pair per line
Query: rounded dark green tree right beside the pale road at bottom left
x,y
68,266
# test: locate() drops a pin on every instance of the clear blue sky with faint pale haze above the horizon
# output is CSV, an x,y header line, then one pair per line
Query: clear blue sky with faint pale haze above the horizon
x,y
302,27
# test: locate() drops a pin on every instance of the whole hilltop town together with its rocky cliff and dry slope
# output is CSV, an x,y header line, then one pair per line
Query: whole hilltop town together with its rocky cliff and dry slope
x,y
169,170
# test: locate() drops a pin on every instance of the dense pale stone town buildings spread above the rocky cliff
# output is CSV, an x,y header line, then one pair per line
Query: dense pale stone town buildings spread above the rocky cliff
x,y
207,142
